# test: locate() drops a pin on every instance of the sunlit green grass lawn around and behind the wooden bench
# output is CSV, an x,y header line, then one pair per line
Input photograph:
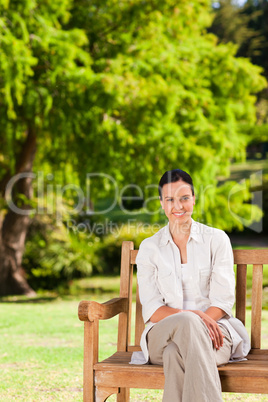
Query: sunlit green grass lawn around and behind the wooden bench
x,y
41,348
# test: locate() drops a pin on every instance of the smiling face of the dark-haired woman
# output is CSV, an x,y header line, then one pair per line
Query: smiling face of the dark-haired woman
x,y
178,202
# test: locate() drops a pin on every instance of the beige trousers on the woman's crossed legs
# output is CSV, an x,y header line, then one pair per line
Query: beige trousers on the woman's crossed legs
x,y
181,343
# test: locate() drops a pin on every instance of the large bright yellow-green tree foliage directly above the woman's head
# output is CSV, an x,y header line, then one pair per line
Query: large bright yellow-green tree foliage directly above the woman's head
x,y
172,96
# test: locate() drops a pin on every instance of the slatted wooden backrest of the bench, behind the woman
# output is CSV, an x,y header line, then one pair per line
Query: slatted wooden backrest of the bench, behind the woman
x,y
242,259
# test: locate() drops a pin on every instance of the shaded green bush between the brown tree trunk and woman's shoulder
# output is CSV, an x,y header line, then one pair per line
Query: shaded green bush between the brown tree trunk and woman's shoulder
x,y
54,256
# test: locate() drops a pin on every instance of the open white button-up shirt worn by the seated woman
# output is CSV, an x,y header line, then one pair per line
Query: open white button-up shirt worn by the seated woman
x,y
159,273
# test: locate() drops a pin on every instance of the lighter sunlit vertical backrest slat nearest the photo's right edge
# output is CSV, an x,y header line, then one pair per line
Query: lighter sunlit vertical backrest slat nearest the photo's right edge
x,y
256,306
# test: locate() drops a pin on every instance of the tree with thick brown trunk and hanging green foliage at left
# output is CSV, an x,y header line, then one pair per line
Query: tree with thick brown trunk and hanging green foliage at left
x,y
44,70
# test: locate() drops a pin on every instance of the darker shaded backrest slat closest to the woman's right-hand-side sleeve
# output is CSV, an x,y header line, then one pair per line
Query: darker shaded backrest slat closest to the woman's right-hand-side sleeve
x,y
241,292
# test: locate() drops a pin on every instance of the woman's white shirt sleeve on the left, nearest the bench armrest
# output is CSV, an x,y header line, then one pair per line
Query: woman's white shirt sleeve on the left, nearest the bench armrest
x,y
150,296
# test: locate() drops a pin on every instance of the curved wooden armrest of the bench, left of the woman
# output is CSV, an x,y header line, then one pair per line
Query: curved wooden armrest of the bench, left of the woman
x,y
91,310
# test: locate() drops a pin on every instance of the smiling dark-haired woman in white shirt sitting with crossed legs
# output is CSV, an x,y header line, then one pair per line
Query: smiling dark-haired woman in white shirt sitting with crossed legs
x,y
186,283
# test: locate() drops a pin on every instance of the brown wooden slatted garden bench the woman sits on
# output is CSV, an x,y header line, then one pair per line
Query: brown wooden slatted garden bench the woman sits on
x,y
116,376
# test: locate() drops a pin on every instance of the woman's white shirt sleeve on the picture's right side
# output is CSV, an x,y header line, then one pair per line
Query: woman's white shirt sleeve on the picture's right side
x,y
222,285
